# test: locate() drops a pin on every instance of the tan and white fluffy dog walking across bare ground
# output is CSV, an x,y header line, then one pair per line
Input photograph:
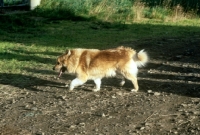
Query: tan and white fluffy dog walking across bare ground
x,y
94,64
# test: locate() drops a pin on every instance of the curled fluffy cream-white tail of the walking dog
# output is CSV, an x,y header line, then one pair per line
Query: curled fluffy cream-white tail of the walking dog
x,y
141,58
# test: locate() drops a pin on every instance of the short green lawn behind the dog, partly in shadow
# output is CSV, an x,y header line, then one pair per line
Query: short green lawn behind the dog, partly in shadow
x,y
30,43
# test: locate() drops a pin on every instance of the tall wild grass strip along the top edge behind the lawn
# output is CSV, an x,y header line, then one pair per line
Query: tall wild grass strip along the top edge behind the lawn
x,y
126,11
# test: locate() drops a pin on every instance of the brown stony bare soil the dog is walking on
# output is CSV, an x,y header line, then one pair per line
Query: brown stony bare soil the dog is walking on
x,y
168,101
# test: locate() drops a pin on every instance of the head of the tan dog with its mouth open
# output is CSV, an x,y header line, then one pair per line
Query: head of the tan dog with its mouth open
x,y
61,62
